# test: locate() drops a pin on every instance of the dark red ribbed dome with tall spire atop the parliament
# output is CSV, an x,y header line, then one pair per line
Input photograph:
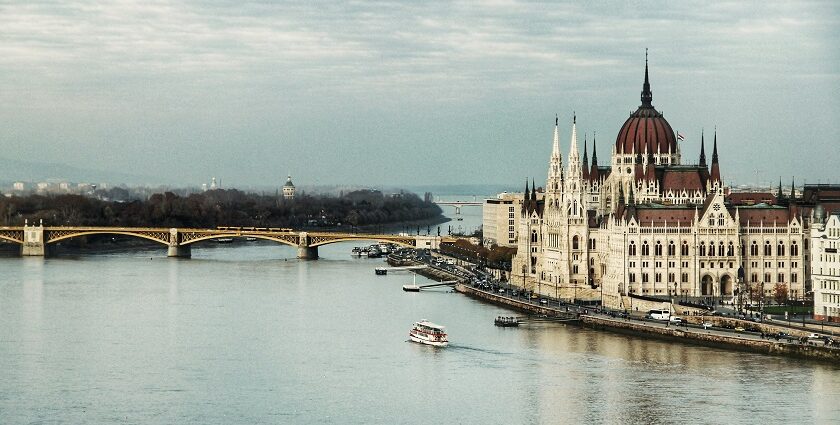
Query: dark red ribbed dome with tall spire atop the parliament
x,y
646,128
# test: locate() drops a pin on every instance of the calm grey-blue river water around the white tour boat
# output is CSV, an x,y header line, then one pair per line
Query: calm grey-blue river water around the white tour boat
x,y
245,333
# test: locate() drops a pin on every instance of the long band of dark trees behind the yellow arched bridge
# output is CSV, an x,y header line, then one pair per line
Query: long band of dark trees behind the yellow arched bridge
x,y
214,208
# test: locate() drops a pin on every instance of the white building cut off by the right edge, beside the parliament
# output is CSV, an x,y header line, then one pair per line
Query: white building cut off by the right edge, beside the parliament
x,y
825,266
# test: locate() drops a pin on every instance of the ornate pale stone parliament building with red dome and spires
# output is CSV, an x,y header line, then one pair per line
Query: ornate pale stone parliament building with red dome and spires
x,y
649,225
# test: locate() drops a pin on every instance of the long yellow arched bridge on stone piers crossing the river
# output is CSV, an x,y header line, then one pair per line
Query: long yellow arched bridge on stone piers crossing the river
x,y
37,240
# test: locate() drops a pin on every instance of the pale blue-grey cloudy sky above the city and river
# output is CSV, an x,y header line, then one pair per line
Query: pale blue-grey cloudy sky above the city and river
x,y
406,93
